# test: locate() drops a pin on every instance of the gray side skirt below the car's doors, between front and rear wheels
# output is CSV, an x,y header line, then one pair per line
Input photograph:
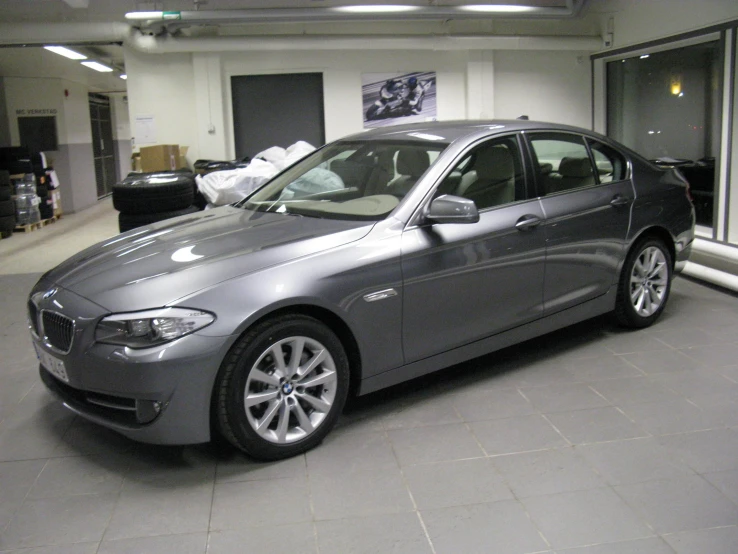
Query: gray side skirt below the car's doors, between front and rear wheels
x,y
597,306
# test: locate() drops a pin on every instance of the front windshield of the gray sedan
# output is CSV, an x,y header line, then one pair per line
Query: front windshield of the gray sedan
x,y
362,180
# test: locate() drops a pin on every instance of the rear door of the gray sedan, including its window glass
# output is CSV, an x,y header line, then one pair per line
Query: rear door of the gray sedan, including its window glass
x,y
586,195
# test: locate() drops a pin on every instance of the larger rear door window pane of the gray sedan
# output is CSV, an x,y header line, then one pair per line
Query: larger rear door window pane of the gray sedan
x,y
562,162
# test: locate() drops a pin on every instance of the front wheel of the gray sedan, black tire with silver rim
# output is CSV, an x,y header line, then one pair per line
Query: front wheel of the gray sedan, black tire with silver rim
x,y
252,353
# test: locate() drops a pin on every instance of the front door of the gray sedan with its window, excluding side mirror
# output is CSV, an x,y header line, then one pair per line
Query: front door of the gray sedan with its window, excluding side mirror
x,y
465,282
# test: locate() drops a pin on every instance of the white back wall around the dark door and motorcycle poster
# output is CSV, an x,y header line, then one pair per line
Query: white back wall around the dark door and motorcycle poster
x,y
189,95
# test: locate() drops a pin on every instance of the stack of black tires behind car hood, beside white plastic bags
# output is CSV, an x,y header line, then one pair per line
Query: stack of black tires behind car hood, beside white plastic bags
x,y
144,198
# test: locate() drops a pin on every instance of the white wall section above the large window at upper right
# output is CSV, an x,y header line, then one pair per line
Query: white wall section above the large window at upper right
x,y
637,21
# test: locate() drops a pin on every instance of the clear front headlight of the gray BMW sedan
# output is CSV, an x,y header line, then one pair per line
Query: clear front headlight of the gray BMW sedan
x,y
152,327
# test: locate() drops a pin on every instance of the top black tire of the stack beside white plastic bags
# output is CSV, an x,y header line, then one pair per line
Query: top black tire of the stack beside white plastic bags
x,y
148,195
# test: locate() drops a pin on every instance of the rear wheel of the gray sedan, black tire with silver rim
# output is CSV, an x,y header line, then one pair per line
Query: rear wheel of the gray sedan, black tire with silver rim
x,y
645,283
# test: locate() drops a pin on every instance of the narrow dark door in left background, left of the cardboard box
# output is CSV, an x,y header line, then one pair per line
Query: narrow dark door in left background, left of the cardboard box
x,y
103,147
